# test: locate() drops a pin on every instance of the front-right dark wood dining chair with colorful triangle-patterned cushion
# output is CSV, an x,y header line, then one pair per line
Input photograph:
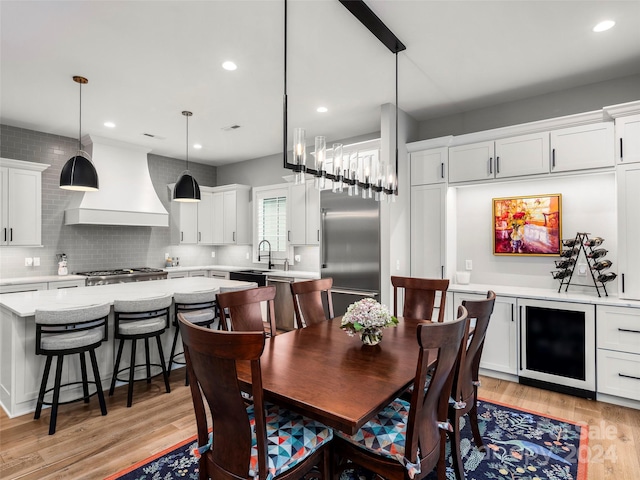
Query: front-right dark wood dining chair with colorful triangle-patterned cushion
x,y
407,439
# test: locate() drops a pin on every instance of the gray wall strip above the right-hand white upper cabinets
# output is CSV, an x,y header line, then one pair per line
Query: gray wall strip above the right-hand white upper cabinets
x,y
557,104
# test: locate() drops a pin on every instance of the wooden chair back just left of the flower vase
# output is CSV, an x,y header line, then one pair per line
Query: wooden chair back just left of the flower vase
x,y
312,301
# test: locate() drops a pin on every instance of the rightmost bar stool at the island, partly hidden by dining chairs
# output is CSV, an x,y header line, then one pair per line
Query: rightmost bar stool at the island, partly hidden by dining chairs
x,y
198,308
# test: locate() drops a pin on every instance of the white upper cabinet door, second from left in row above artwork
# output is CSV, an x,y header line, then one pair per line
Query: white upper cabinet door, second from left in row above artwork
x,y
471,162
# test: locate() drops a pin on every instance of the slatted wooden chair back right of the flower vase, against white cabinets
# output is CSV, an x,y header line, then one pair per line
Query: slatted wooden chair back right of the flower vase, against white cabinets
x,y
420,296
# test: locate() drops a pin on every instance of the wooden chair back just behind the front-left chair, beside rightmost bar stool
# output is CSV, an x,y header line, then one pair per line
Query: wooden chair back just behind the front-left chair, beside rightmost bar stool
x,y
242,309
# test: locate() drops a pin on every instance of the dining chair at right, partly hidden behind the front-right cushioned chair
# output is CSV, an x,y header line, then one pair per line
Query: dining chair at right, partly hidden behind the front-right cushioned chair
x,y
466,380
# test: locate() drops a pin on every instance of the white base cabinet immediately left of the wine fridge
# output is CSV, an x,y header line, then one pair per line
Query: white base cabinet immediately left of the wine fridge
x,y
500,351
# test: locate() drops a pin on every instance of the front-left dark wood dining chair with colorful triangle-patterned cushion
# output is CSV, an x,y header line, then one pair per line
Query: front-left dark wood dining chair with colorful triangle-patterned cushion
x,y
259,440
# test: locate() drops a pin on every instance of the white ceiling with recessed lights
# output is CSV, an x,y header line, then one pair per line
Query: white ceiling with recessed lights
x,y
146,61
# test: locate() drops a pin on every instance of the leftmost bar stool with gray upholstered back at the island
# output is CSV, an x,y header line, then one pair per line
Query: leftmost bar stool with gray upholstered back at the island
x,y
65,332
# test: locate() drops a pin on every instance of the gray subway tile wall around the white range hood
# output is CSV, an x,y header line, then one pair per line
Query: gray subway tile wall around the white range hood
x,y
92,247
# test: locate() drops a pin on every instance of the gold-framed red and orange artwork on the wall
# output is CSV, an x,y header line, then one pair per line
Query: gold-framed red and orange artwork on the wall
x,y
529,225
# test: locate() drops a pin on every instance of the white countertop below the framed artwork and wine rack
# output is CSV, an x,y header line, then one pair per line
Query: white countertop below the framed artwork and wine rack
x,y
545,294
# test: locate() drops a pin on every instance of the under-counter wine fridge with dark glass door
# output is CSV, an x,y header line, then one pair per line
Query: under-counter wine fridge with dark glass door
x,y
558,346
